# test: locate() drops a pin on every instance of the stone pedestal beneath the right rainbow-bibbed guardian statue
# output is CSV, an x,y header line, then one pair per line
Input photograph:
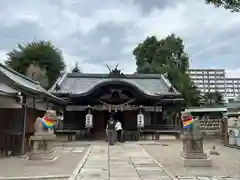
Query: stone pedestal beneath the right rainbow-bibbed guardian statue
x,y
193,154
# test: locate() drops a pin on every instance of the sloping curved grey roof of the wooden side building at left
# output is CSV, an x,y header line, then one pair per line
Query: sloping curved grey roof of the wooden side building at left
x,y
24,84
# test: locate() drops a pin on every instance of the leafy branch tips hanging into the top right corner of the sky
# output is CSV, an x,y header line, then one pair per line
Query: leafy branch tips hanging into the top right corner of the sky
x,y
233,5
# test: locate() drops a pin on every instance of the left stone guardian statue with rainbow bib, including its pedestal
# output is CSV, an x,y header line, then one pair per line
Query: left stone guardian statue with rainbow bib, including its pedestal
x,y
42,142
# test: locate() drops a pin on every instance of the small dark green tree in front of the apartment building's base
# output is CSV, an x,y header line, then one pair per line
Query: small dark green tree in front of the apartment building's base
x,y
213,98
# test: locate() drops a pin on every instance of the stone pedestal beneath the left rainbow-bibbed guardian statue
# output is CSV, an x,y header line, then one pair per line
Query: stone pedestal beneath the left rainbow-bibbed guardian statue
x,y
42,151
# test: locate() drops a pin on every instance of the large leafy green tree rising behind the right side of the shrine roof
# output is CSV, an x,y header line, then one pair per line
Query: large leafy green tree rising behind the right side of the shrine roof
x,y
167,56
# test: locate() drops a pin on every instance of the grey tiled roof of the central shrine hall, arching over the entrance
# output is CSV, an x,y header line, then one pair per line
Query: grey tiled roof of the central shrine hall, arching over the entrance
x,y
80,83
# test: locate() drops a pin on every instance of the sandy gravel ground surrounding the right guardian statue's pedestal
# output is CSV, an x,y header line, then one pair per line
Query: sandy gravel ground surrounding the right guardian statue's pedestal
x,y
225,164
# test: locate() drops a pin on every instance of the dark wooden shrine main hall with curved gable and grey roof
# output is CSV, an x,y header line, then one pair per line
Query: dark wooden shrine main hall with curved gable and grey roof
x,y
120,95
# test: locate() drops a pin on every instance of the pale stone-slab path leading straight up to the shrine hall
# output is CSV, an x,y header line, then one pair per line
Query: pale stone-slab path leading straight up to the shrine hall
x,y
127,161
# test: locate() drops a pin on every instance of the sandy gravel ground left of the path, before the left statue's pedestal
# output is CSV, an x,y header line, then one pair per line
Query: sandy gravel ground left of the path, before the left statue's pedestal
x,y
69,157
